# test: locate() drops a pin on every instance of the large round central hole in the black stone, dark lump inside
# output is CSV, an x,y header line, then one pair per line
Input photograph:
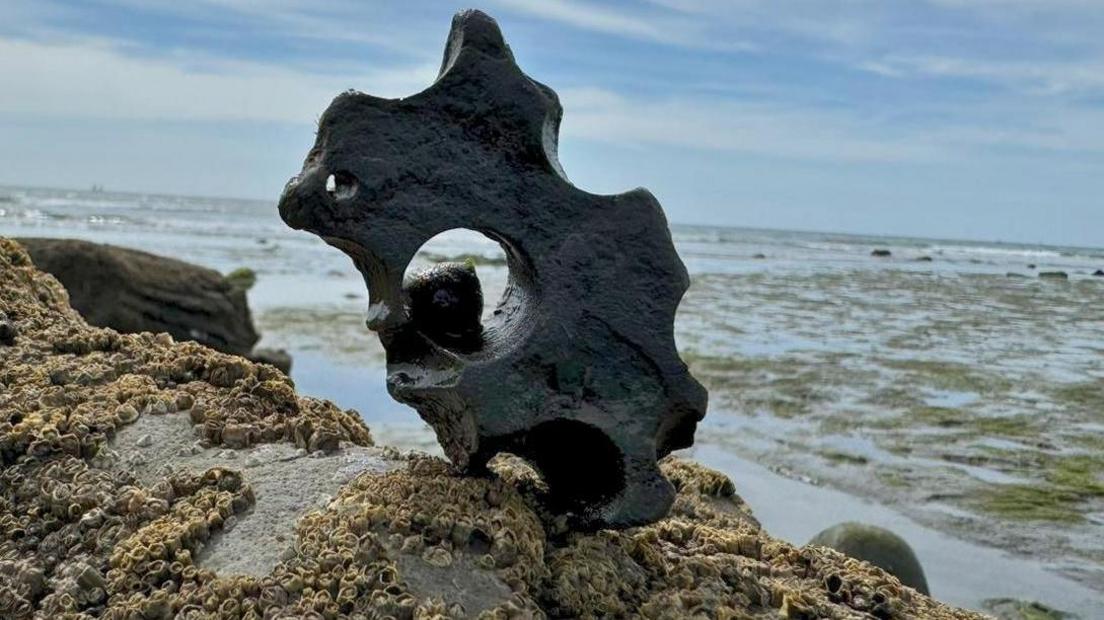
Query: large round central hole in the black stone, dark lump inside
x,y
444,283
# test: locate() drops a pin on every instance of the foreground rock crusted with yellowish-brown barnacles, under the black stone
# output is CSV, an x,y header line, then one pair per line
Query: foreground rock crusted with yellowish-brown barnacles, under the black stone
x,y
109,508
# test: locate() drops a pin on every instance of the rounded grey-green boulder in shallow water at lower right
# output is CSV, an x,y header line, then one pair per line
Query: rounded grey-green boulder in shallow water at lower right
x,y
878,547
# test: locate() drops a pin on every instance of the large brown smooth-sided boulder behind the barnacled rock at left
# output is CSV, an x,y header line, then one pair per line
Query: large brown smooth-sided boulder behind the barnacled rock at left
x,y
133,292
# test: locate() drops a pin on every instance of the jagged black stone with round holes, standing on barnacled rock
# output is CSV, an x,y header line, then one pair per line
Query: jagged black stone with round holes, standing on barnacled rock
x,y
577,369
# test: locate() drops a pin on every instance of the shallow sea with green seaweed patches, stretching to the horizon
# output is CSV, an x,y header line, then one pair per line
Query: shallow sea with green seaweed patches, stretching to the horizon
x,y
952,391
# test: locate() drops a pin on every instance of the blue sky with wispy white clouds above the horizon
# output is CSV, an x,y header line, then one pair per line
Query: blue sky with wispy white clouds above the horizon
x,y
979,120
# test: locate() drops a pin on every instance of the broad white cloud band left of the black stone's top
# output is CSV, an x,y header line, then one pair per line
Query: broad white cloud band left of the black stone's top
x,y
92,79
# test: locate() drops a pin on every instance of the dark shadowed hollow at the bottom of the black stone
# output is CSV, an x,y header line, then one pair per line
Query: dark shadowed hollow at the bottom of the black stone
x,y
575,456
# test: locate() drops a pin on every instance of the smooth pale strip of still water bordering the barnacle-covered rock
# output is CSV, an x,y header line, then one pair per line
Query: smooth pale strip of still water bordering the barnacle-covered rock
x,y
962,570
